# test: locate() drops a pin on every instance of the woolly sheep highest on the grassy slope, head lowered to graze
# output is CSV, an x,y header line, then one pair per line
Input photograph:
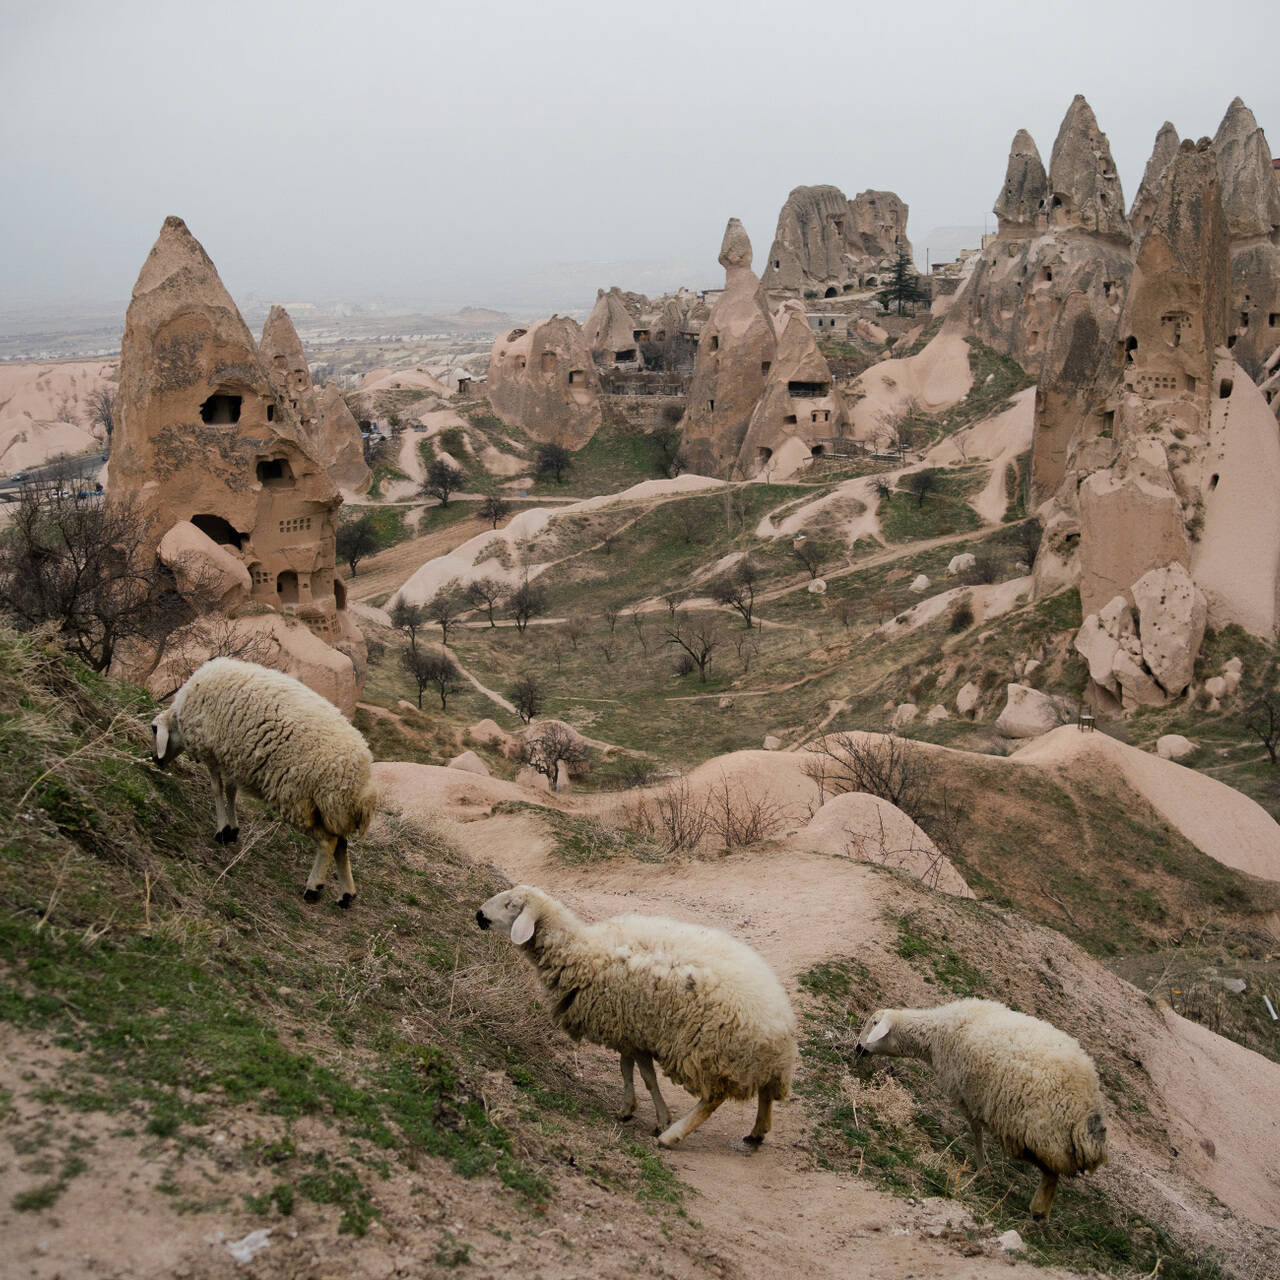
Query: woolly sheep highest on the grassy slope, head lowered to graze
x,y
263,732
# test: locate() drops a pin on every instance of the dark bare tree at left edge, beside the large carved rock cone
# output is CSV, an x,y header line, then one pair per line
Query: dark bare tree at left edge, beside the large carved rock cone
x,y
89,568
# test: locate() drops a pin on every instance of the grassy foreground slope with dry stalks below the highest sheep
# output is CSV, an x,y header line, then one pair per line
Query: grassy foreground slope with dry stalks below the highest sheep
x,y
182,982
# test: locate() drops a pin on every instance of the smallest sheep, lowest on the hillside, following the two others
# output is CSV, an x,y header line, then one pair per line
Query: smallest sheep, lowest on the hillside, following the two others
x,y
1027,1082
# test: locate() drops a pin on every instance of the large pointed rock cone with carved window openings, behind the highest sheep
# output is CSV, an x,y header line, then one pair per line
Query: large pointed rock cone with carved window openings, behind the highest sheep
x,y
203,437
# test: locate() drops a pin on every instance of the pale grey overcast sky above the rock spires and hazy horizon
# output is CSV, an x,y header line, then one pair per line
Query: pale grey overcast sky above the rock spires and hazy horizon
x,y
506,154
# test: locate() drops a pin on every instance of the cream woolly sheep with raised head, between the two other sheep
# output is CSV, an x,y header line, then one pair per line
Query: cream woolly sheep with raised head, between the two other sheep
x,y
702,1005
